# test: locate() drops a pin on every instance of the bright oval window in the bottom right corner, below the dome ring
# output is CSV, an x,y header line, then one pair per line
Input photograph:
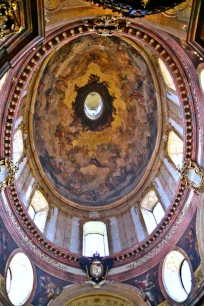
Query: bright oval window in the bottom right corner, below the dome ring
x,y
176,276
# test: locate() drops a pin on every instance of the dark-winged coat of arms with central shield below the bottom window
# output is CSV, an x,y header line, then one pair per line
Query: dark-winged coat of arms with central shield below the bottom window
x,y
96,269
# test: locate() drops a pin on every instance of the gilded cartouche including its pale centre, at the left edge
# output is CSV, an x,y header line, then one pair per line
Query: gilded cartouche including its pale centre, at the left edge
x,y
7,173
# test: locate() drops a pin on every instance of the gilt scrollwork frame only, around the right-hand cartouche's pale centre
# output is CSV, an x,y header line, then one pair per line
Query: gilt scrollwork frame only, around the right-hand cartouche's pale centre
x,y
189,164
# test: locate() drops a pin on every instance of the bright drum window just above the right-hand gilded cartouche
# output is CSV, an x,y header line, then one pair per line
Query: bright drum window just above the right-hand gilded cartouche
x,y
175,149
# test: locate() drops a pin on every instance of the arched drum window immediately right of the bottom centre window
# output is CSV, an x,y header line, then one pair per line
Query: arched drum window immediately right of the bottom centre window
x,y
152,211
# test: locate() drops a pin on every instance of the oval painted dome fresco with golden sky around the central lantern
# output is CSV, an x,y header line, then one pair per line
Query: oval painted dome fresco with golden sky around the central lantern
x,y
95,119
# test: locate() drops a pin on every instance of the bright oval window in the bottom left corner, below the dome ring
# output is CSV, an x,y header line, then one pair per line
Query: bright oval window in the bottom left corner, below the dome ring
x,y
19,279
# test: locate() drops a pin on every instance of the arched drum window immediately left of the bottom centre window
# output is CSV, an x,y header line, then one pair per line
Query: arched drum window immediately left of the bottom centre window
x,y
38,210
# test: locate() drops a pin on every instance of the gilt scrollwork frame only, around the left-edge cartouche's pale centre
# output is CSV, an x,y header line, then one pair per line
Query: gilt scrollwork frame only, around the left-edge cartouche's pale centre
x,y
12,169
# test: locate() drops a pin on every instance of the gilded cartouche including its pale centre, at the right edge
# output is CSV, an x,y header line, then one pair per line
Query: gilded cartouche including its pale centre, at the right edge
x,y
192,175
